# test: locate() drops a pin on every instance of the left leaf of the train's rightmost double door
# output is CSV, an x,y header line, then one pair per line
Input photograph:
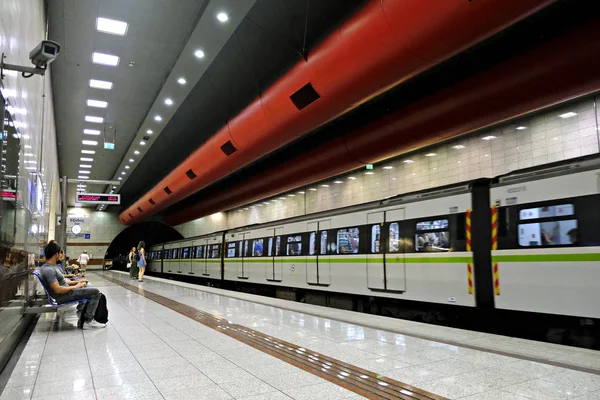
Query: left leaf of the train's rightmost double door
x,y
375,262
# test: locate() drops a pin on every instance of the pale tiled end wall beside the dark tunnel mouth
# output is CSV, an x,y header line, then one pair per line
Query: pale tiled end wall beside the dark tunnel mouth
x,y
102,226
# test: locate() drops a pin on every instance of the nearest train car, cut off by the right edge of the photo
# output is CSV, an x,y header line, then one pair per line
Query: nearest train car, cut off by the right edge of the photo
x,y
547,244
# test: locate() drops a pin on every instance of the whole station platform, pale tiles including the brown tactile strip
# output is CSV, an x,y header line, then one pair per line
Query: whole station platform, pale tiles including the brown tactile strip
x,y
173,340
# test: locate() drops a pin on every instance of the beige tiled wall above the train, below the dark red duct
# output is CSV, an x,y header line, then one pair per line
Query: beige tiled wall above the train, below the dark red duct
x,y
537,139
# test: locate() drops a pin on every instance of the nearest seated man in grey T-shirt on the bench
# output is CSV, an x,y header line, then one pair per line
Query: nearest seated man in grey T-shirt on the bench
x,y
65,291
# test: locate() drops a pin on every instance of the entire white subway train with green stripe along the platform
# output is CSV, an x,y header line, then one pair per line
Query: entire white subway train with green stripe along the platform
x,y
526,241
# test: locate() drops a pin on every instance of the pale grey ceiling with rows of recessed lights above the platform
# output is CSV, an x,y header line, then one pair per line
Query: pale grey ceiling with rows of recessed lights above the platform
x,y
156,41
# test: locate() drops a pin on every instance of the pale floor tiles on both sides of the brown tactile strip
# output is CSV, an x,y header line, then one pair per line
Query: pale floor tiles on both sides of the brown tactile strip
x,y
148,351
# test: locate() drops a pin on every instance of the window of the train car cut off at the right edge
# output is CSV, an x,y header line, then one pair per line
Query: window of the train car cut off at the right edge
x,y
551,233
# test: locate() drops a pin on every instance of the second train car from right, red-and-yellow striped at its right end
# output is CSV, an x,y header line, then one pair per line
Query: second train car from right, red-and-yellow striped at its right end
x,y
413,247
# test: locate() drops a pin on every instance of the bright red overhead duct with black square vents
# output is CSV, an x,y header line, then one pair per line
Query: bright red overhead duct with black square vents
x,y
385,43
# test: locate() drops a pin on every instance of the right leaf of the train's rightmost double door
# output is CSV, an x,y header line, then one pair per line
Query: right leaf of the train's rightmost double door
x,y
395,272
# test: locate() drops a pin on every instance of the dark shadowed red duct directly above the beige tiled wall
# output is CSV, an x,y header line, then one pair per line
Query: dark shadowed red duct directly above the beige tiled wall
x,y
560,70
